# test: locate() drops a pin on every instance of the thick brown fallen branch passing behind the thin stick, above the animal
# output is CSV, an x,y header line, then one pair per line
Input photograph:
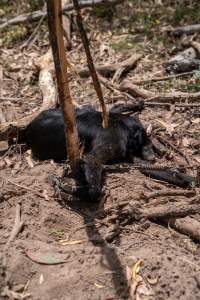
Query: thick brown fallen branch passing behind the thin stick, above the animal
x,y
110,69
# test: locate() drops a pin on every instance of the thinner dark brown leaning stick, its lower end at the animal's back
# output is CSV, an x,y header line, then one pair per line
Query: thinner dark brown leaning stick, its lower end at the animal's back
x,y
91,67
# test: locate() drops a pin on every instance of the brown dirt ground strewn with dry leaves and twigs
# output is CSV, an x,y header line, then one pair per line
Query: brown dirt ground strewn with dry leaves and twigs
x,y
72,250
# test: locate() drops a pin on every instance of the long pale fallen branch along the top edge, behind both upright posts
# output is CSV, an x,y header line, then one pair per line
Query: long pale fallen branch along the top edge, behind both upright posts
x,y
37,15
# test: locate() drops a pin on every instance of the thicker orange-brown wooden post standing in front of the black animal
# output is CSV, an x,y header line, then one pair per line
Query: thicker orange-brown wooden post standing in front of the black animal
x,y
54,13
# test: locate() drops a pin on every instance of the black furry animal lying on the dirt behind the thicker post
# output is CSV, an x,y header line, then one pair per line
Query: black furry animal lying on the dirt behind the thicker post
x,y
124,138
